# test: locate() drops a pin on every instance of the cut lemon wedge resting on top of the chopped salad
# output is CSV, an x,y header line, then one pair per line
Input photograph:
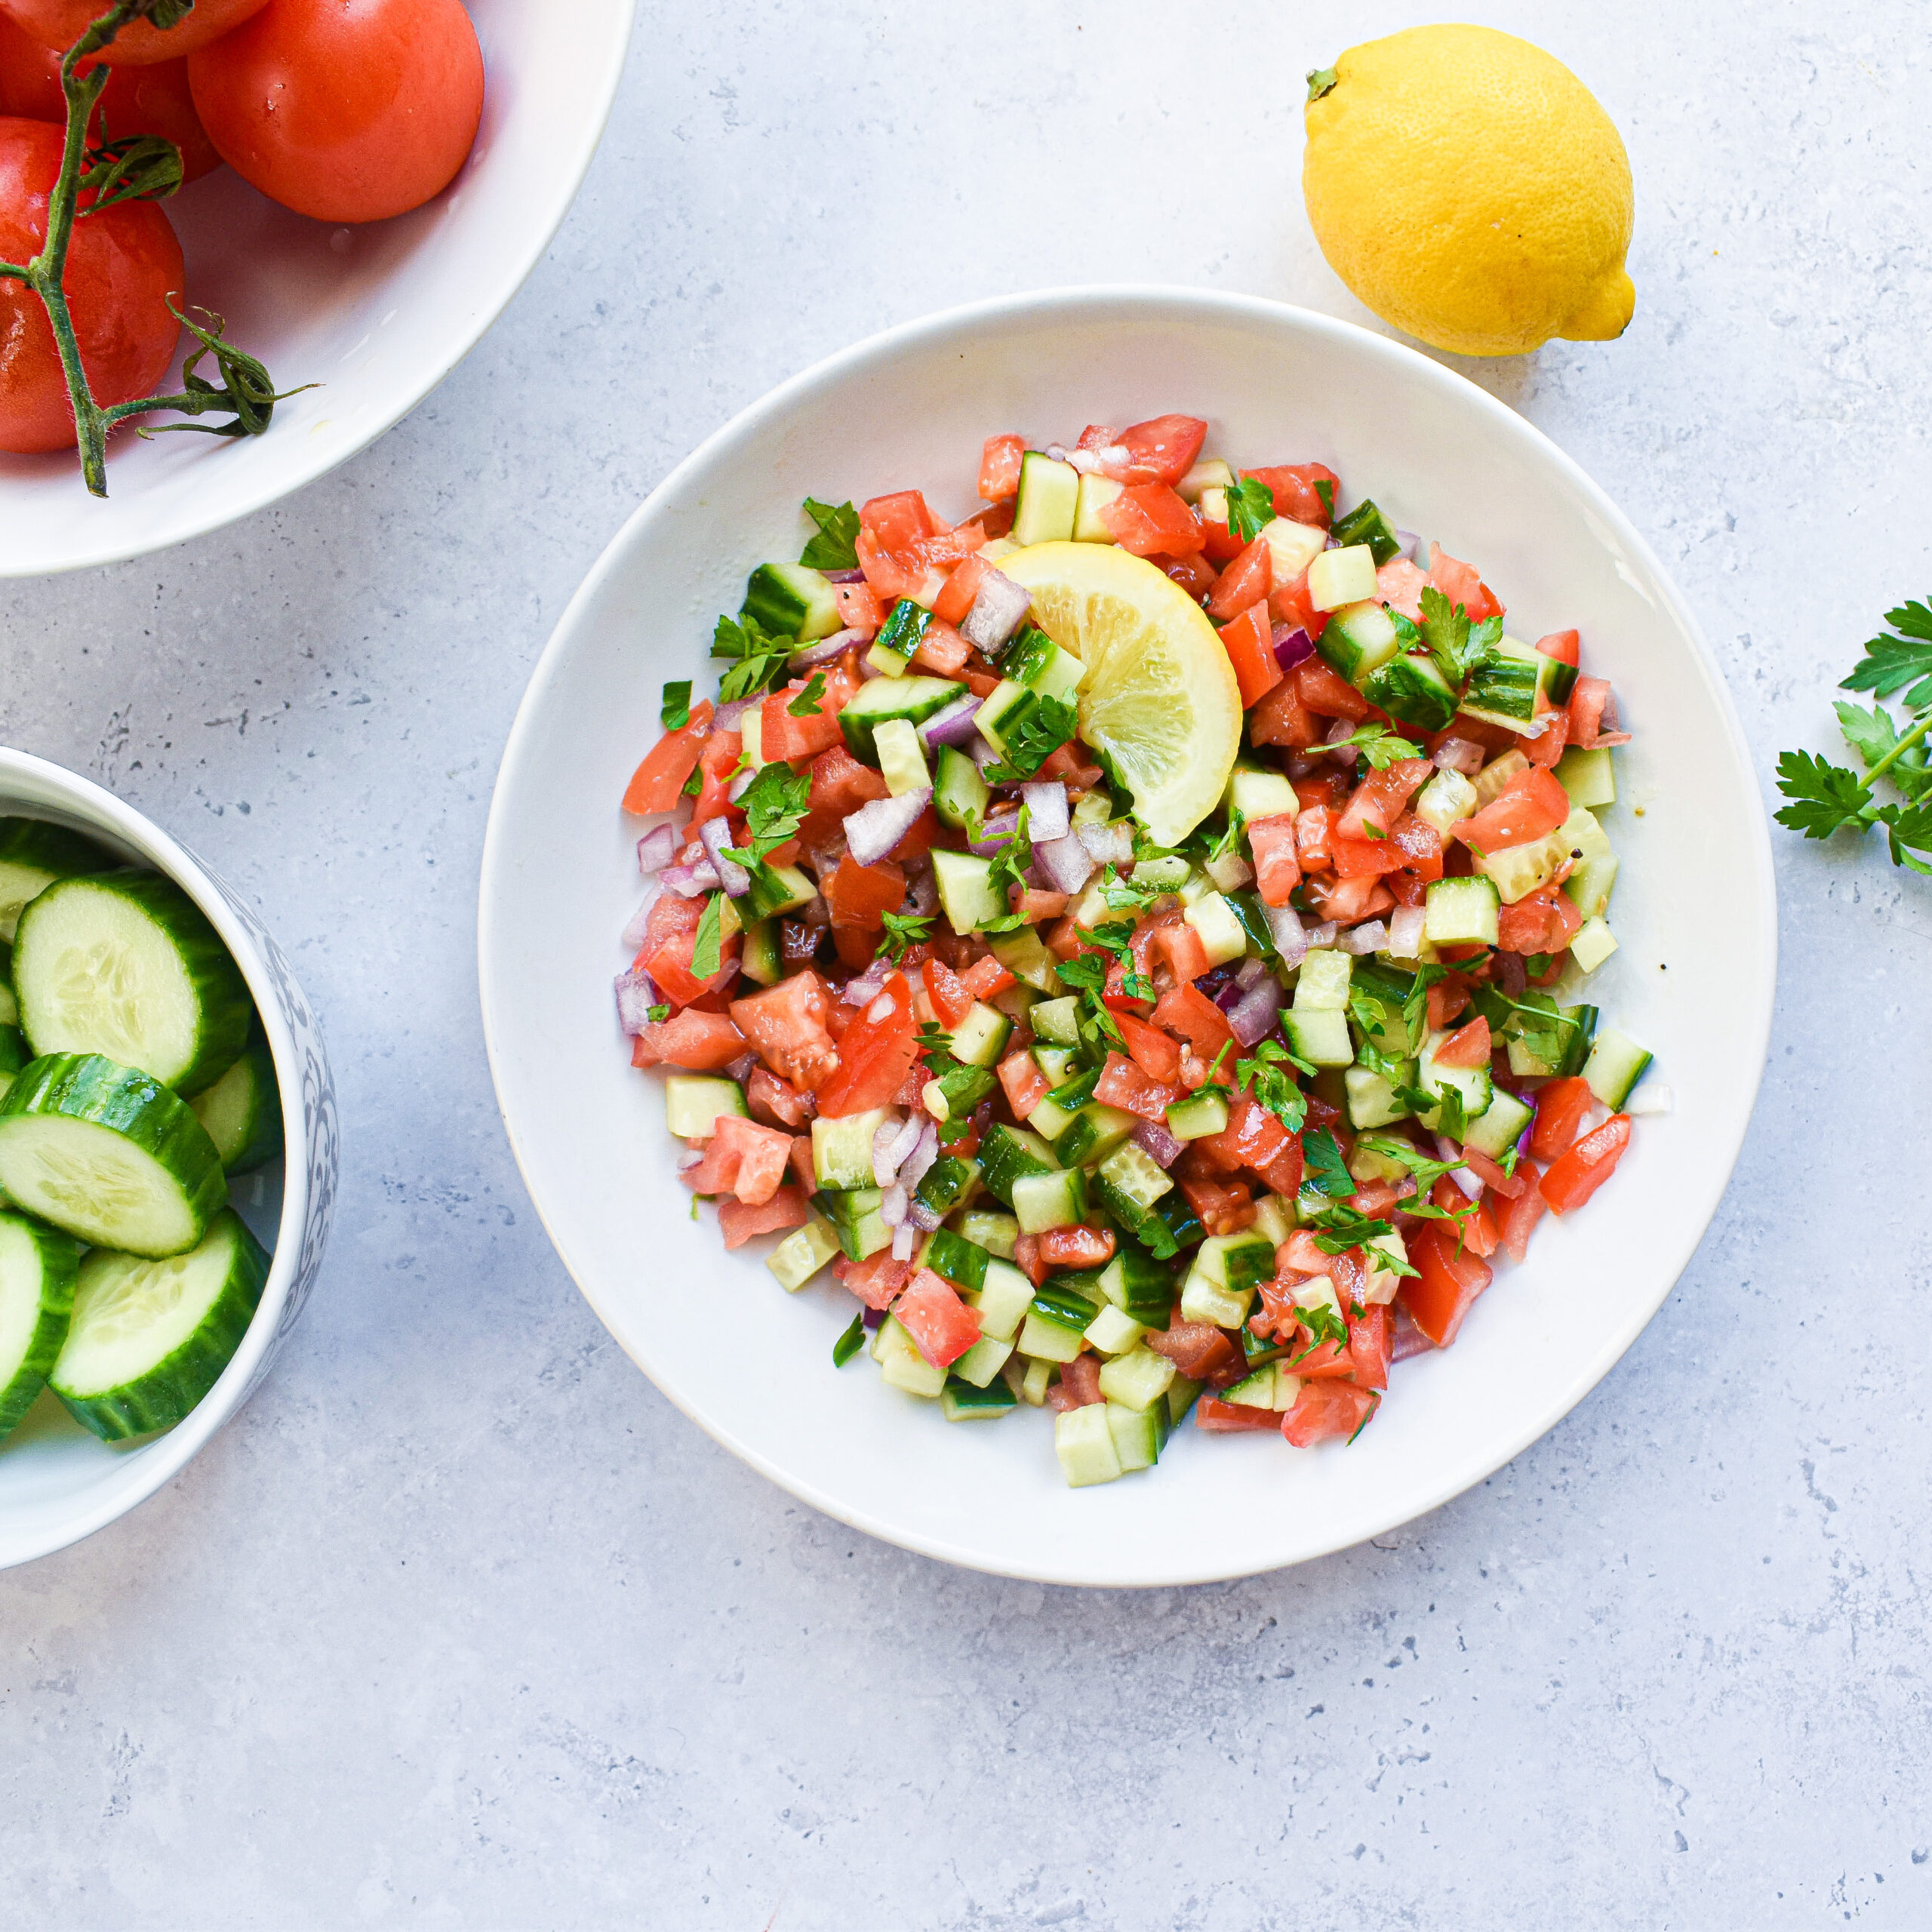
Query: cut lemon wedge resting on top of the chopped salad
x,y
1160,693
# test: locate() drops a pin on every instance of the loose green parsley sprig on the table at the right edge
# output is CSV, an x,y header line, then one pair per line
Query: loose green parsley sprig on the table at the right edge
x,y
1829,799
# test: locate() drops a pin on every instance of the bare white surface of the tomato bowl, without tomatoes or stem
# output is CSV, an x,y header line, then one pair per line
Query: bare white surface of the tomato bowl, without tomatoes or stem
x,y
374,316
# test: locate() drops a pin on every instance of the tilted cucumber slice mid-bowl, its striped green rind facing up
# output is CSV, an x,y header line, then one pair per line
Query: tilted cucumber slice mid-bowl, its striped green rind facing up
x,y
109,1154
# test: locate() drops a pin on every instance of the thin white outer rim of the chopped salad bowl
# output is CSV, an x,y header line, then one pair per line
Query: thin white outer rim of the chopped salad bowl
x,y
1131,304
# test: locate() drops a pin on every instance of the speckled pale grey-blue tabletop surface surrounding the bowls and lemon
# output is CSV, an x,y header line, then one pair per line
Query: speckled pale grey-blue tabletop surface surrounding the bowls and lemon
x,y
461,1624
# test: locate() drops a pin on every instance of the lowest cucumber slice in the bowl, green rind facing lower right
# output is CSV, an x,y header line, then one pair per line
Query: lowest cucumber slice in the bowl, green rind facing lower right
x,y
152,1338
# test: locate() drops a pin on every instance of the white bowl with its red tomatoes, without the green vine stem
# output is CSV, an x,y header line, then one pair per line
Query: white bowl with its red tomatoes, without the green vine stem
x,y
364,194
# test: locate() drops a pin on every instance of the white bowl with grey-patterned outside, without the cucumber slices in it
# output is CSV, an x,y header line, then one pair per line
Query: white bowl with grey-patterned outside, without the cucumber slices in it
x,y
59,1485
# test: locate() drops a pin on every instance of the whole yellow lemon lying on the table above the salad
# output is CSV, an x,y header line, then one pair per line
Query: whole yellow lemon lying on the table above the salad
x,y
1471,190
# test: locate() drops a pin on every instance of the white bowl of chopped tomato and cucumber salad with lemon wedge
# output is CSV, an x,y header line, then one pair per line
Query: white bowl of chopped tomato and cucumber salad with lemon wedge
x,y
1178,882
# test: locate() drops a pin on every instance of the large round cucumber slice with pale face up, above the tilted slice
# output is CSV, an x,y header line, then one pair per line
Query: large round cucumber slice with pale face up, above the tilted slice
x,y
127,965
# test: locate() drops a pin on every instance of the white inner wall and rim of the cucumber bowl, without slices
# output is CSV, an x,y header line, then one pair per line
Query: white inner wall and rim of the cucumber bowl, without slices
x,y
57,1481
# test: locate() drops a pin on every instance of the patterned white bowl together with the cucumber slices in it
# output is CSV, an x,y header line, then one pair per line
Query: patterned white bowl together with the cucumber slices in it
x,y
167,1156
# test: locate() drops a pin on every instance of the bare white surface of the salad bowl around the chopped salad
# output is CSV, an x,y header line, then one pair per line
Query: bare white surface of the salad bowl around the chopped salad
x,y
753,1365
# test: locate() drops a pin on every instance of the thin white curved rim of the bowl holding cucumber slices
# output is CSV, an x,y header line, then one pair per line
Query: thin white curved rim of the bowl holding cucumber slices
x,y
167,1456
